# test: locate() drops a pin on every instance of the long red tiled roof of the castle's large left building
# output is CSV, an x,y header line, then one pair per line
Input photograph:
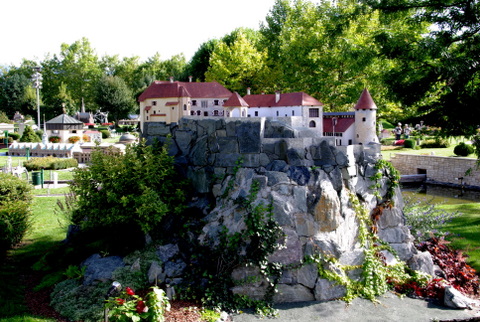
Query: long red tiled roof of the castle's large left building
x,y
161,89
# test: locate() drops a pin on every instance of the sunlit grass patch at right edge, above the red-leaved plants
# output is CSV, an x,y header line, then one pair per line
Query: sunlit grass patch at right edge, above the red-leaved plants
x,y
464,231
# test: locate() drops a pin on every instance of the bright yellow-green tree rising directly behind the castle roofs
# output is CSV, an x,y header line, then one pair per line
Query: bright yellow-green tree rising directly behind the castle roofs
x,y
237,66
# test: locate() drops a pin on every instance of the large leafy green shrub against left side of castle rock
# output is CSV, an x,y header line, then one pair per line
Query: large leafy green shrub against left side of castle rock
x,y
137,188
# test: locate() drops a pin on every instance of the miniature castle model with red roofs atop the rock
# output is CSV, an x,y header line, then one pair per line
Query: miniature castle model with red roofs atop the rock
x,y
169,101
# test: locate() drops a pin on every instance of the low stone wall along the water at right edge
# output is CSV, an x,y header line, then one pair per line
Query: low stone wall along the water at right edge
x,y
438,169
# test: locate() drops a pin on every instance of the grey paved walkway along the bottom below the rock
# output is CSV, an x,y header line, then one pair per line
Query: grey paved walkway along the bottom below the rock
x,y
390,308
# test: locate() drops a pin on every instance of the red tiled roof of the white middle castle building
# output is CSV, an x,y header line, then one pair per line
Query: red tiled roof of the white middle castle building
x,y
286,99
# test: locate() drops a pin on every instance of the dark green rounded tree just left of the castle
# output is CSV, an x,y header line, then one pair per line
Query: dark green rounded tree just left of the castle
x,y
114,96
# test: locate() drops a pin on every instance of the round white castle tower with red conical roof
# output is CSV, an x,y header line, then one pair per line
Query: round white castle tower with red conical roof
x,y
365,119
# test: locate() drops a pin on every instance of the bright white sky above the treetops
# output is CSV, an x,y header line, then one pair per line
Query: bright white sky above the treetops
x,y
32,29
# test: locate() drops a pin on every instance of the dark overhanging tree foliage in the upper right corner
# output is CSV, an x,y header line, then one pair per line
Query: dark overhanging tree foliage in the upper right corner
x,y
438,73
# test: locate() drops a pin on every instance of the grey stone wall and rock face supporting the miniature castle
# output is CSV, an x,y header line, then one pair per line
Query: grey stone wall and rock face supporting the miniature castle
x,y
305,178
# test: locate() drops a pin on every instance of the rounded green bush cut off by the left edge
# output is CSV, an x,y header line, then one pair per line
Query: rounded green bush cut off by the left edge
x,y
15,212
